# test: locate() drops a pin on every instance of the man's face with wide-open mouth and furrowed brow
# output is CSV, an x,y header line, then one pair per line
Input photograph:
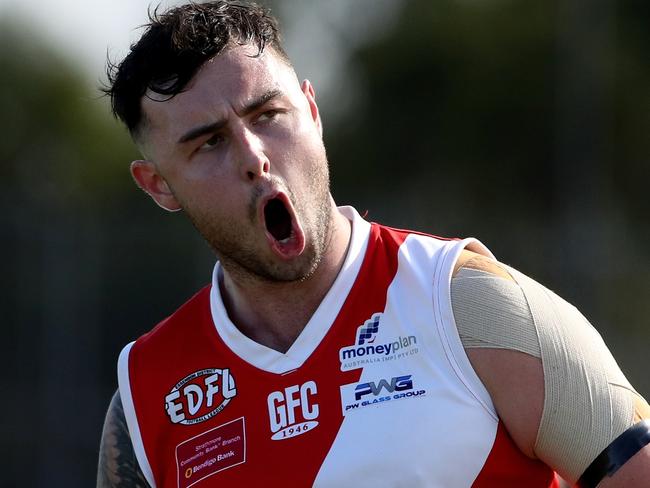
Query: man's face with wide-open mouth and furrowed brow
x,y
241,152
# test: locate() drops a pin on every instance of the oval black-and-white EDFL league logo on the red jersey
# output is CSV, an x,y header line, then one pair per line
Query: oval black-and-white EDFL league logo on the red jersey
x,y
200,396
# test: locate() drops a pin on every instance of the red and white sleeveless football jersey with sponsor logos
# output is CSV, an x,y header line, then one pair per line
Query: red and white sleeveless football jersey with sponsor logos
x,y
376,390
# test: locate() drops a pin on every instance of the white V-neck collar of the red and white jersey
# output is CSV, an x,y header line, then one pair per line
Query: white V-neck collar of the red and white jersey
x,y
273,361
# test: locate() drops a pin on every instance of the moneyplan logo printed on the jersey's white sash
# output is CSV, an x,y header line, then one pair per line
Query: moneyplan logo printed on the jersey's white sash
x,y
367,349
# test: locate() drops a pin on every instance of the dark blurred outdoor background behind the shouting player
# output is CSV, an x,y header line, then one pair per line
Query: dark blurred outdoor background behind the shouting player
x,y
523,123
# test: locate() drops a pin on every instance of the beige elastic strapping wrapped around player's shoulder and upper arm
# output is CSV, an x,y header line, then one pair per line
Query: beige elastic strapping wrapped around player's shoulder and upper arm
x,y
588,401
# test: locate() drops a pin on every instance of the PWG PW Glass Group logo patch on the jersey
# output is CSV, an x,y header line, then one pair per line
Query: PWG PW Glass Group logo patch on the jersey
x,y
355,396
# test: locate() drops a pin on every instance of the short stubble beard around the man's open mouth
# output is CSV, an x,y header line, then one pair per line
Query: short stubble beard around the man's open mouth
x,y
233,243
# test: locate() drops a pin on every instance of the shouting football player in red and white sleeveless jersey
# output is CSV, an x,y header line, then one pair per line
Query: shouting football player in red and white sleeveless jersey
x,y
329,351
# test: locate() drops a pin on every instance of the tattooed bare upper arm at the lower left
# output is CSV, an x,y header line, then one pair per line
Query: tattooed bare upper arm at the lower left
x,y
118,466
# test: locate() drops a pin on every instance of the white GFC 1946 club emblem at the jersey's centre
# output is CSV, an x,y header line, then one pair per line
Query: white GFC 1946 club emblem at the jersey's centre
x,y
293,410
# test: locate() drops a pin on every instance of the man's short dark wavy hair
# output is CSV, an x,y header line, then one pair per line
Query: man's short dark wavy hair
x,y
175,45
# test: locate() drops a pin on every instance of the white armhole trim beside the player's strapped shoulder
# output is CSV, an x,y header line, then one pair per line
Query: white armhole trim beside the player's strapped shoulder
x,y
447,323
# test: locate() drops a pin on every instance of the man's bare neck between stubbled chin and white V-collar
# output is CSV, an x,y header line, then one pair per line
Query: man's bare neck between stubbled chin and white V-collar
x,y
259,308
